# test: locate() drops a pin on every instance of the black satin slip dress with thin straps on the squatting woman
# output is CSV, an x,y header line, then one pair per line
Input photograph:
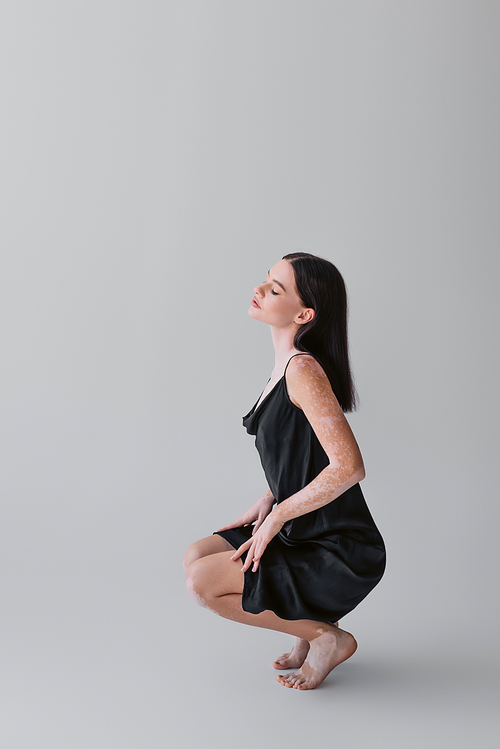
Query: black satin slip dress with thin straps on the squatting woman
x,y
321,564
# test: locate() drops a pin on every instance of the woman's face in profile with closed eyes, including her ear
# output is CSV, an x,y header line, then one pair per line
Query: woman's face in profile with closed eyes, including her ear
x,y
276,300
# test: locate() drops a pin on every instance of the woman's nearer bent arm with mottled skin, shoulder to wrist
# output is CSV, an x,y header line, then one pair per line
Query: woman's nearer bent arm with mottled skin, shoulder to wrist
x,y
309,388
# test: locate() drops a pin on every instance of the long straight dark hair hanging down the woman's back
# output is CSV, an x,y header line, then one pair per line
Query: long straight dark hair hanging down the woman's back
x,y
321,287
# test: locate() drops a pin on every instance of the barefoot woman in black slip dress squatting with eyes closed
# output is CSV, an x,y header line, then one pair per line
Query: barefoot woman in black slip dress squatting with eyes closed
x,y
313,551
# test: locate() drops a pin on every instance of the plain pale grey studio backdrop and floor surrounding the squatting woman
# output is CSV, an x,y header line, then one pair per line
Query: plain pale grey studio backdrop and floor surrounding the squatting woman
x,y
156,160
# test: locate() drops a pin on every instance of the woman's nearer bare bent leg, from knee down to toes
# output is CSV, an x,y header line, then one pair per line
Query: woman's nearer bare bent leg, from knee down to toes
x,y
217,584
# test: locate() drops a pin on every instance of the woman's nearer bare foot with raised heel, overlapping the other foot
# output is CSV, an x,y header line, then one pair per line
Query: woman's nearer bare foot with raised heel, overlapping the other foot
x,y
326,652
